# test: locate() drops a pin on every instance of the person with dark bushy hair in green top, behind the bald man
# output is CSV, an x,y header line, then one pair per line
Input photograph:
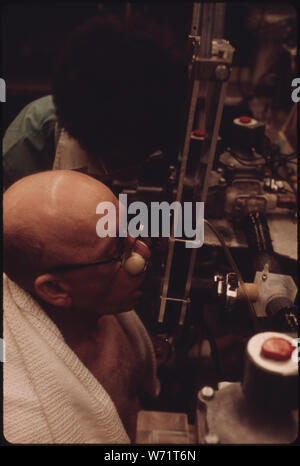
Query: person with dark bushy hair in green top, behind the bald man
x,y
118,94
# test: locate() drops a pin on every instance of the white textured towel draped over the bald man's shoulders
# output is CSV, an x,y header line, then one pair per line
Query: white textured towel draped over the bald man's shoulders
x,y
49,395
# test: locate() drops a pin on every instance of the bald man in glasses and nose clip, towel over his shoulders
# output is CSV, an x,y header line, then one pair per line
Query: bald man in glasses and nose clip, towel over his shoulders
x,y
78,359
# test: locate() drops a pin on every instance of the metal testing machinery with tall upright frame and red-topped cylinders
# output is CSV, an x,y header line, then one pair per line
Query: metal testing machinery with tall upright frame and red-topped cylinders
x,y
199,297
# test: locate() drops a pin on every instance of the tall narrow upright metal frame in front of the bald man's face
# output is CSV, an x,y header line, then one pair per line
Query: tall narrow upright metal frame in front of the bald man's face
x,y
211,60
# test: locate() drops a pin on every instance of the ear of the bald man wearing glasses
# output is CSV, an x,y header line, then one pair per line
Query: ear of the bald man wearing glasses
x,y
53,290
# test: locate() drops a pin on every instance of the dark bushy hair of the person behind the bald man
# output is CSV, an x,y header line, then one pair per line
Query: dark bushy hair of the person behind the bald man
x,y
119,89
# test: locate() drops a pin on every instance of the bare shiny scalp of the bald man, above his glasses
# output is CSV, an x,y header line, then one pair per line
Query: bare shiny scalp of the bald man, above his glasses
x,y
50,219
